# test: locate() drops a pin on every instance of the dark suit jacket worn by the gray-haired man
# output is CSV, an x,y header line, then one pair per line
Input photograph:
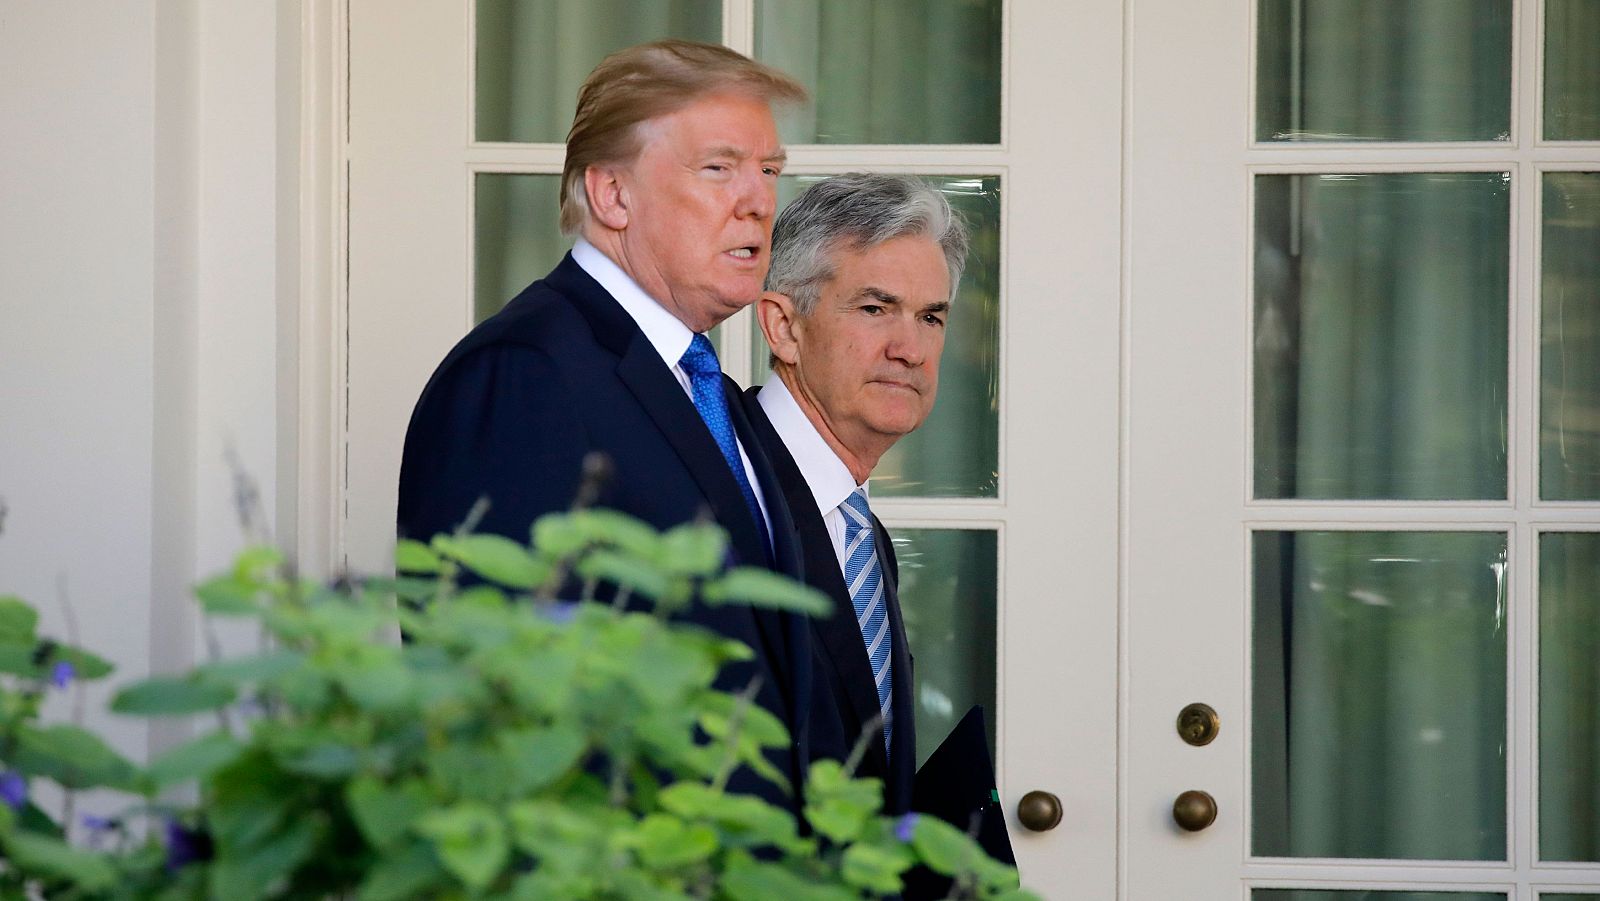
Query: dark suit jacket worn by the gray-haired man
x,y
847,697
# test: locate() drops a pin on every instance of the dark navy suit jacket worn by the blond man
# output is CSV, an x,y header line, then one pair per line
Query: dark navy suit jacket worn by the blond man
x,y
561,372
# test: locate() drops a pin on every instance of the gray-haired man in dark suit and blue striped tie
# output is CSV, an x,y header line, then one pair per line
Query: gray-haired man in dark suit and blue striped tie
x,y
857,302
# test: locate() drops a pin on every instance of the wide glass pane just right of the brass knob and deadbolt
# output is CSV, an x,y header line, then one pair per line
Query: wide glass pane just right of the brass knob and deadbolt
x,y
1378,692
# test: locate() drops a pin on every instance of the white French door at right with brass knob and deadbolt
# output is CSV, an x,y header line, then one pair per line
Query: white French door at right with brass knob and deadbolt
x,y
1361,452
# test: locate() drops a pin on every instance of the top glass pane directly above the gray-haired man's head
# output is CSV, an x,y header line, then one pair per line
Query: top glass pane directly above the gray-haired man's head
x,y
887,71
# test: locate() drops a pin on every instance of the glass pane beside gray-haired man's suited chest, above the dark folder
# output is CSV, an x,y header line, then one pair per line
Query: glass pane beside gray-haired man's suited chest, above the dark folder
x,y
948,590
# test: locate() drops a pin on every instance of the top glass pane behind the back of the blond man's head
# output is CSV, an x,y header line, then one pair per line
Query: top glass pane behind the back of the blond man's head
x,y
534,55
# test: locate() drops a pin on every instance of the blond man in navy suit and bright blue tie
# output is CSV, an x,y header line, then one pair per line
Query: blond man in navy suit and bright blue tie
x,y
670,185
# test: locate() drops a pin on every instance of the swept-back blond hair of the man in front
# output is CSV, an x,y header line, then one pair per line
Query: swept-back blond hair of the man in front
x,y
636,86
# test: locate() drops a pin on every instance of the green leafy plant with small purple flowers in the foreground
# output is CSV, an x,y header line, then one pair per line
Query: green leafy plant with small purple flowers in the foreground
x,y
514,747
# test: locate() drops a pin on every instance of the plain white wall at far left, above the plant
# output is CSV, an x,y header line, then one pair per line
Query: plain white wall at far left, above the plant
x,y
146,167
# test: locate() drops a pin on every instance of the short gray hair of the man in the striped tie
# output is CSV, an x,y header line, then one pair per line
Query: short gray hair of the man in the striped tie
x,y
858,210
